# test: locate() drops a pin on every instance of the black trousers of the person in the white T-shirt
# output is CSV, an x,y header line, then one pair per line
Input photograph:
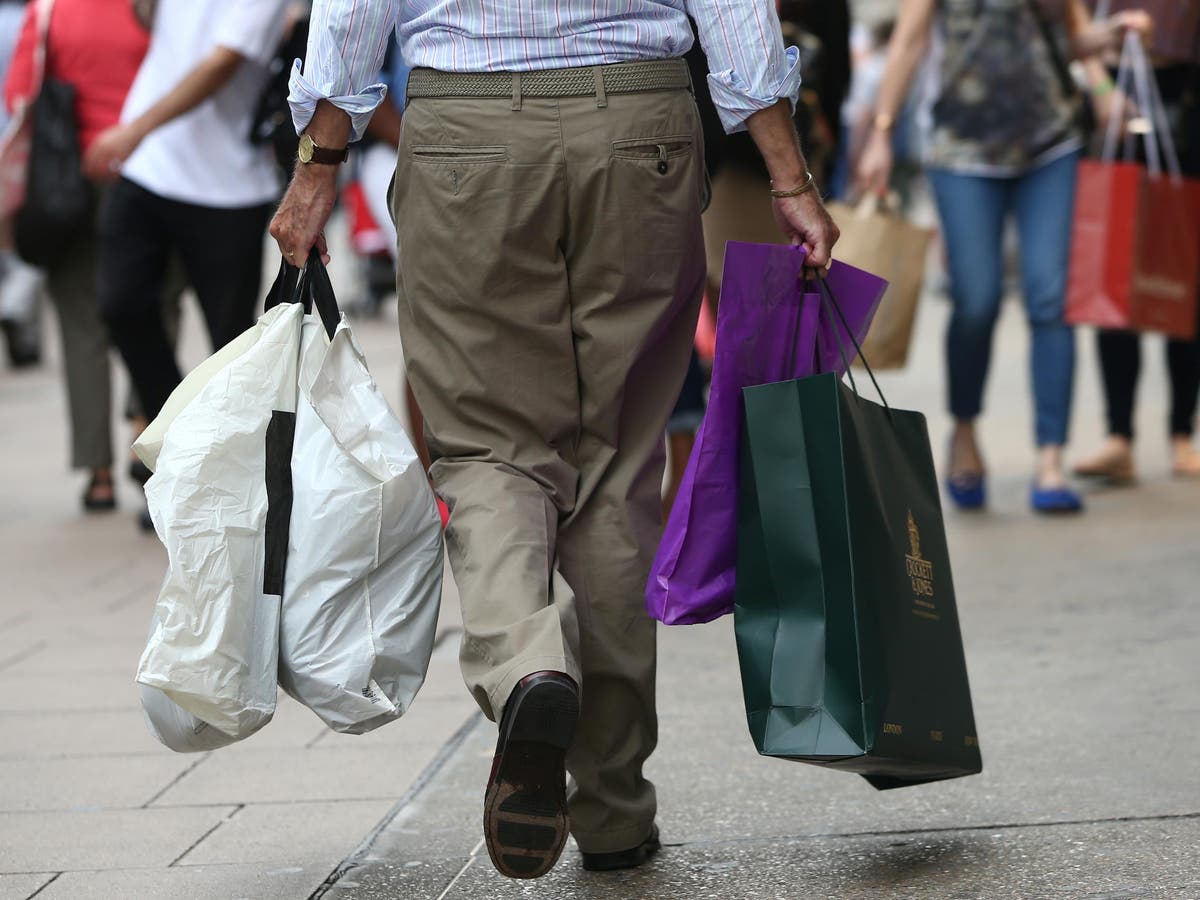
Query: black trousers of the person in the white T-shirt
x,y
221,251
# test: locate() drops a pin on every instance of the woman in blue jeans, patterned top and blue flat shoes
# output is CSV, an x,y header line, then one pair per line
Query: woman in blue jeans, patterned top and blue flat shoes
x,y
1006,140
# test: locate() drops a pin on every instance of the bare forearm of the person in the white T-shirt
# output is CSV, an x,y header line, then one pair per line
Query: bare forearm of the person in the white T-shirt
x,y
116,145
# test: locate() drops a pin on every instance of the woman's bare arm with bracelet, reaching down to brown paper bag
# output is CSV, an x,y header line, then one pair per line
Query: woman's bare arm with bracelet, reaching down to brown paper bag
x,y
907,51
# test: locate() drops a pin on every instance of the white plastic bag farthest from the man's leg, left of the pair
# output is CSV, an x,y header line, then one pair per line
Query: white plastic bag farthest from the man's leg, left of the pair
x,y
215,647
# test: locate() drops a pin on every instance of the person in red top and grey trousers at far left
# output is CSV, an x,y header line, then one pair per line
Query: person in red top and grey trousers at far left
x,y
97,47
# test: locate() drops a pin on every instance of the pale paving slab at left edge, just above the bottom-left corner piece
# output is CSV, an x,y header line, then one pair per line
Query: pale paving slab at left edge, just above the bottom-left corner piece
x,y
105,839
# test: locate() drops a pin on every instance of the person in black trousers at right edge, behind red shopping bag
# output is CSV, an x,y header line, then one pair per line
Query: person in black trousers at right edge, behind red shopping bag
x,y
1175,51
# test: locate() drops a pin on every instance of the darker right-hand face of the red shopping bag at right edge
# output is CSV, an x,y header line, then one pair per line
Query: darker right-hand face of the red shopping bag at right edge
x,y
1166,275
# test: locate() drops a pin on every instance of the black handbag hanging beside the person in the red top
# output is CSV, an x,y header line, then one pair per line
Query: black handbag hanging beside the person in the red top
x,y
59,199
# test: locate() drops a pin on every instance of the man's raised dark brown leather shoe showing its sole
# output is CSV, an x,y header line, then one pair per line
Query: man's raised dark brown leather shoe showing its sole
x,y
525,808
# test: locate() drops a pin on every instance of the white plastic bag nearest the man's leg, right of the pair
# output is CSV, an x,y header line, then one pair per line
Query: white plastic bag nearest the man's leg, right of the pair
x,y
365,559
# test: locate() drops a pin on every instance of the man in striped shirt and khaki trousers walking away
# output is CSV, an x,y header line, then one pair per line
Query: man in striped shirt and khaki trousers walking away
x,y
548,199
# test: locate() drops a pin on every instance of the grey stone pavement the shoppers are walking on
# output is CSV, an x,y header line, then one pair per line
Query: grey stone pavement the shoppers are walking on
x,y
1083,645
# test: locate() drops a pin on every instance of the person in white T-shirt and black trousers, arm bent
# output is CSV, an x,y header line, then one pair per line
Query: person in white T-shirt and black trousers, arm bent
x,y
189,182
